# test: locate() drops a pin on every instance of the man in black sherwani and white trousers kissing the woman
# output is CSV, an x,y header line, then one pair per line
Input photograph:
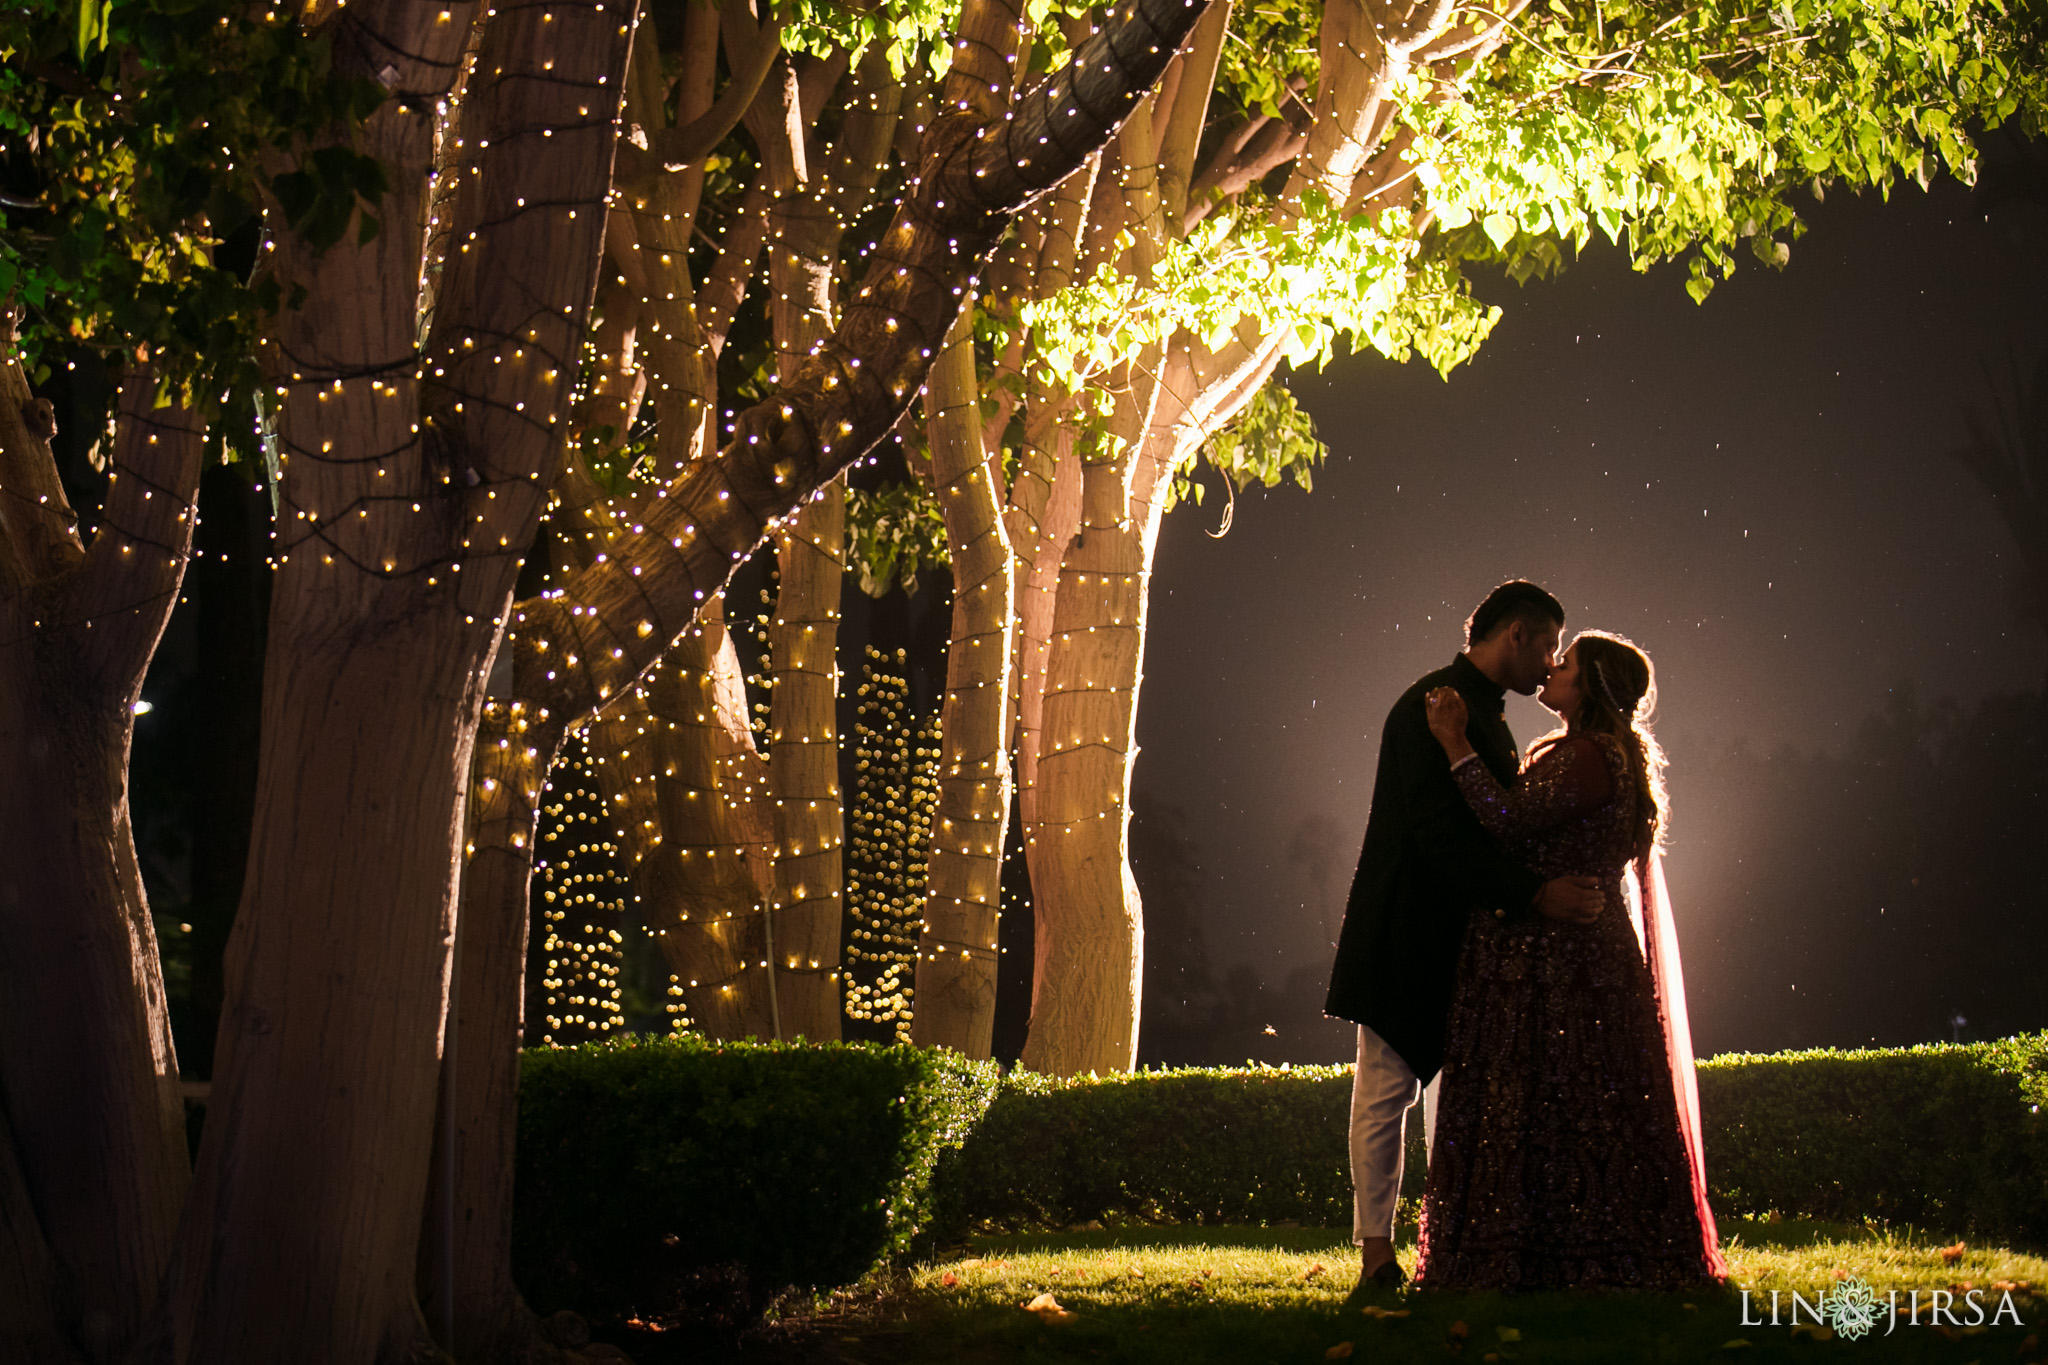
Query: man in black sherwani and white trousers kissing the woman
x,y
1426,869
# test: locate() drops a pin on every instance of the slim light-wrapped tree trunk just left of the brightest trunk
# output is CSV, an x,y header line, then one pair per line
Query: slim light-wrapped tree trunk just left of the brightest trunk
x,y
964,891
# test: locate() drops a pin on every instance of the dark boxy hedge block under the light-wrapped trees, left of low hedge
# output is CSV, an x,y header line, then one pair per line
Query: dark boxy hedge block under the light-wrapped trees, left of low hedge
x,y
652,1174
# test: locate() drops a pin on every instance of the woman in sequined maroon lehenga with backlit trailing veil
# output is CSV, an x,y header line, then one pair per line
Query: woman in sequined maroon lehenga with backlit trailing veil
x,y
1568,1122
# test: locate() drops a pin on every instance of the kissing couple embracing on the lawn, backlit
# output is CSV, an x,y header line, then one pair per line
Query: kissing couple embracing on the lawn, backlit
x,y
1508,957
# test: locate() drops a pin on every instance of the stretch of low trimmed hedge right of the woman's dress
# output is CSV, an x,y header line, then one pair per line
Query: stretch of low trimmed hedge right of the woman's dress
x,y
1943,1137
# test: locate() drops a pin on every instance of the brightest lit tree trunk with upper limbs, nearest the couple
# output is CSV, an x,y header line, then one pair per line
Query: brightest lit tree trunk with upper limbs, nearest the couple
x,y
1076,762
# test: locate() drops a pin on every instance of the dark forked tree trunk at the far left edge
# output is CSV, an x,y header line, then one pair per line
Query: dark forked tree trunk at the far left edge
x,y
93,1161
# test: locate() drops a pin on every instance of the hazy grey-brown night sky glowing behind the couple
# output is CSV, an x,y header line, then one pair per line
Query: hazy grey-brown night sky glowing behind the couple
x,y
1760,492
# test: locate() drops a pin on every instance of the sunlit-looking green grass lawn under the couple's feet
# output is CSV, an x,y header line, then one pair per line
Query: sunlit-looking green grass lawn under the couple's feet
x,y
1252,1296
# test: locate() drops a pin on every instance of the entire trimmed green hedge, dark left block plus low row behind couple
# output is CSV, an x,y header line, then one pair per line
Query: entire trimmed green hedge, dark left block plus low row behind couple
x,y
663,1176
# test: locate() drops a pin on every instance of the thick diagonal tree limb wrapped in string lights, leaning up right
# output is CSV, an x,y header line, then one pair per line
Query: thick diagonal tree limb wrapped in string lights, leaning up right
x,y
613,621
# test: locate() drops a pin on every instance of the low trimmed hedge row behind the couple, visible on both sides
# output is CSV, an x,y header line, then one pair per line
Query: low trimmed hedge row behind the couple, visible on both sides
x,y
1951,1139
